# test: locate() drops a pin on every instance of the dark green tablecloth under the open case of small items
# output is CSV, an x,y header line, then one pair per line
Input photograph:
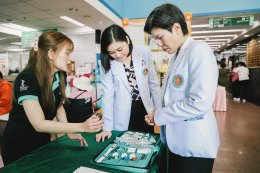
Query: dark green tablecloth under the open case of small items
x,y
63,156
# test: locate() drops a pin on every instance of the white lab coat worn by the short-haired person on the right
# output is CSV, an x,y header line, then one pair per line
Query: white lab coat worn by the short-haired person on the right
x,y
188,122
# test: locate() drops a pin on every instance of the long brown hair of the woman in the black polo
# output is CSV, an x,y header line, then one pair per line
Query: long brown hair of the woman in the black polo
x,y
40,63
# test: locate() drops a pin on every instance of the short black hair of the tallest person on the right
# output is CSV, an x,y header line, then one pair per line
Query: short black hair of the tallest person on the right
x,y
164,16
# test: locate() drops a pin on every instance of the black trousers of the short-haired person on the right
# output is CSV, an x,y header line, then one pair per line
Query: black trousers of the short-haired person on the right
x,y
173,163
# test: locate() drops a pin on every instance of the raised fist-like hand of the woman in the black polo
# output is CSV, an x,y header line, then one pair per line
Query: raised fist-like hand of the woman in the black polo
x,y
93,124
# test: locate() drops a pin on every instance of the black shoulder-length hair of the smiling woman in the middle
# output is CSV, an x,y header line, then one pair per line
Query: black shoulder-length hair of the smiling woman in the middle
x,y
110,35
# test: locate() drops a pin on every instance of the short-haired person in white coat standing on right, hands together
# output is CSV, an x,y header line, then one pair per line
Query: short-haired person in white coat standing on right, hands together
x,y
188,124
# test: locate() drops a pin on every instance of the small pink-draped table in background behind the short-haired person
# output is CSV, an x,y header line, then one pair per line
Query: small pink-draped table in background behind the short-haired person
x,y
220,103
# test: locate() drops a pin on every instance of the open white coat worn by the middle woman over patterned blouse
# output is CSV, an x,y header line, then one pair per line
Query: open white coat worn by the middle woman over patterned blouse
x,y
116,104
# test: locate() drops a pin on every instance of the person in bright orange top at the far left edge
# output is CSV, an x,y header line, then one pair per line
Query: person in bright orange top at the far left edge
x,y
5,95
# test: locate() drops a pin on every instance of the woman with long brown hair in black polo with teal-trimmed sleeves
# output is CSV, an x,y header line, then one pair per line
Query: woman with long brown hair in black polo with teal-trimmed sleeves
x,y
39,93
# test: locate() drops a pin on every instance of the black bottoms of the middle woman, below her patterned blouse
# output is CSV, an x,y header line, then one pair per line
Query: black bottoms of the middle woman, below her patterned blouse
x,y
137,122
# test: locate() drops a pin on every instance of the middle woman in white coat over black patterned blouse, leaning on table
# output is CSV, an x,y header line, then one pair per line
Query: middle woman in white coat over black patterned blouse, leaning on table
x,y
129,82
